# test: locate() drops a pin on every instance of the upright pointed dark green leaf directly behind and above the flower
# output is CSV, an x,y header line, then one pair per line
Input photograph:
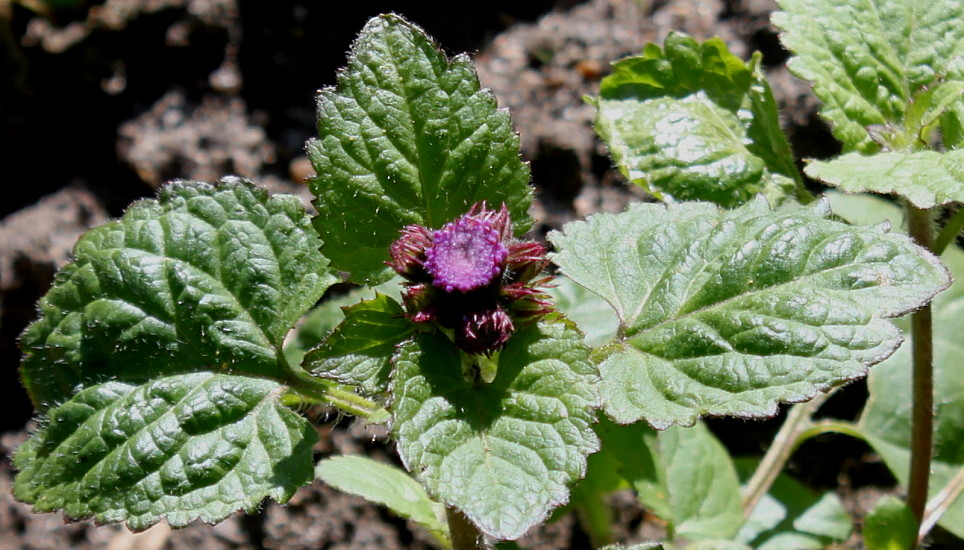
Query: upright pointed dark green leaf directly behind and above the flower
x,y
407,136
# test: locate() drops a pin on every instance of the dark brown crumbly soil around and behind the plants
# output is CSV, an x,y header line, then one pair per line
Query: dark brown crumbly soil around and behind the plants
x,y
103,101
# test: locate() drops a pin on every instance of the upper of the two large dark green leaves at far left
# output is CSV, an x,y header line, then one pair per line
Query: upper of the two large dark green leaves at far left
x,y
202,278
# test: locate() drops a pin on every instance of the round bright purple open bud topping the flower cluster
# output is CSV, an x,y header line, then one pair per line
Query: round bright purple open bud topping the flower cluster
x,y
465,255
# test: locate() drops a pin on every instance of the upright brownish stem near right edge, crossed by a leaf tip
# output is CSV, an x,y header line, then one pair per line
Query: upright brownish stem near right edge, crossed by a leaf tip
x,y
922,418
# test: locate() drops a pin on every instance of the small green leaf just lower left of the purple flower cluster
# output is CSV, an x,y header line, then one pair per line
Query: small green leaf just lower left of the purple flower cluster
x,y
359,351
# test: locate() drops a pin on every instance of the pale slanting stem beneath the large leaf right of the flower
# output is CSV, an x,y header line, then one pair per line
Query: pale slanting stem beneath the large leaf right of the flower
x,y
785,442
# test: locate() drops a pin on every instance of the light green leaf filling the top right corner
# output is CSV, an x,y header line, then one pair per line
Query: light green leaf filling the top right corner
x,y
867,59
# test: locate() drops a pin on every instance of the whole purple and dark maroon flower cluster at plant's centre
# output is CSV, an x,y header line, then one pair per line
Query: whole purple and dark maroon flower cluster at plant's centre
x,y
471,276
